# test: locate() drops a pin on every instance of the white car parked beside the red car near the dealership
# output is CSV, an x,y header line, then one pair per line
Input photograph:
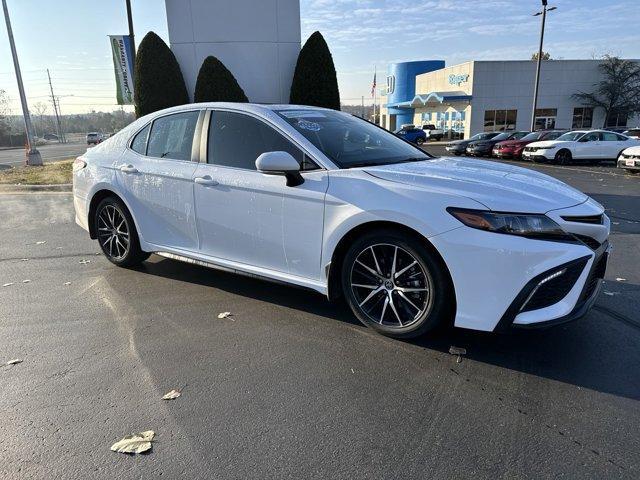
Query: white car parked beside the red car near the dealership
x,y
579,145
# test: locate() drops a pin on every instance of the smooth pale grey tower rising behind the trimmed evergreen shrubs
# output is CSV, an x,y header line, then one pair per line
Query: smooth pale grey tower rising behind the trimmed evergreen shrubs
x,y
257,40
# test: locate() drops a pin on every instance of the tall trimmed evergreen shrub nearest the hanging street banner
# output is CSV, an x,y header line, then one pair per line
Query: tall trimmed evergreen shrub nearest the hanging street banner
x,y
158,81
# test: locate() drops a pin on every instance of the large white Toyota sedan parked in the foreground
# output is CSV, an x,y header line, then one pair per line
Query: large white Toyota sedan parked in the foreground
x,y
327,201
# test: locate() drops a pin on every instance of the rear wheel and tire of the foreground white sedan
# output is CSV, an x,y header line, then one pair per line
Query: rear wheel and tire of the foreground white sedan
x,y
117,235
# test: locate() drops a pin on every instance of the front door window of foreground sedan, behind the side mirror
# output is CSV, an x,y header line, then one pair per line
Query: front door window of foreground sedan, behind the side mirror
x,y
237,140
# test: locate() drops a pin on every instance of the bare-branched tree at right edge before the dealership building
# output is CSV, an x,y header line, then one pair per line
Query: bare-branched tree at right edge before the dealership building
x,y
618,93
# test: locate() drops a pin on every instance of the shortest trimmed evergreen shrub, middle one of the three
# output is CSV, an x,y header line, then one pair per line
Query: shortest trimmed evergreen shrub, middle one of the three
x,y
217,84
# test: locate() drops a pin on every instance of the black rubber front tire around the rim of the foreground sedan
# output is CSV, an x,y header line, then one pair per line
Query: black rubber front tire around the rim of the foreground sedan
x,y
442,292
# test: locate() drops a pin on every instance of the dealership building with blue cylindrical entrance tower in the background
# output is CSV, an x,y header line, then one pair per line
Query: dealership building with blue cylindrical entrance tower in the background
x,y
479,96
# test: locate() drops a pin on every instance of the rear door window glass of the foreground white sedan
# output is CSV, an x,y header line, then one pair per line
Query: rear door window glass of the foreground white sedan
x,y
172,136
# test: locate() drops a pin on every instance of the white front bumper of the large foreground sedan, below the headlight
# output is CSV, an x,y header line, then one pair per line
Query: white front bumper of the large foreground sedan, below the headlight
x,y
491,270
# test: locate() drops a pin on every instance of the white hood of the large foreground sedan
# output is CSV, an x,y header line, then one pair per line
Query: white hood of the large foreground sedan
x,y
498,186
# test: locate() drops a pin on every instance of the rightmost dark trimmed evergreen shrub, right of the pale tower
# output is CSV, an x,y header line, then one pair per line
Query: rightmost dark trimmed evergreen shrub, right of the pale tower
x,y
314,81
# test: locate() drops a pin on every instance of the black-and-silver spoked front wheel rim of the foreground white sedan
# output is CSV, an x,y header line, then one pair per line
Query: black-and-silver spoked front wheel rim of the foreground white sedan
x,y
390,286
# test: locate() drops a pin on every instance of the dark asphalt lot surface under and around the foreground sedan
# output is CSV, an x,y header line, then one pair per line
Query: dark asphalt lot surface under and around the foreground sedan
x,y
291,386
